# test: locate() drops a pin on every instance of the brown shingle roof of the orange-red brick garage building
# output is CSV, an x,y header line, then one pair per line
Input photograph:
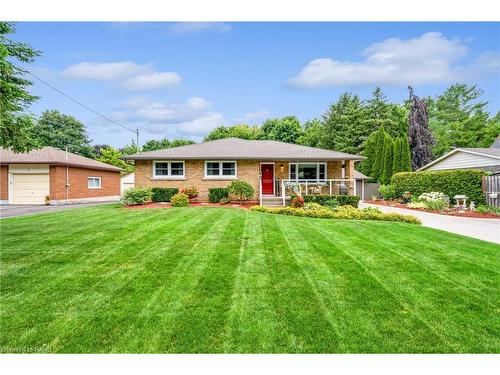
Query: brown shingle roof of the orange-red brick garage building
x,y
51,155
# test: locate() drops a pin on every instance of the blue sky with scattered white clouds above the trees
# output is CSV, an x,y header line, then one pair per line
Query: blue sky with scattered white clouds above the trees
x,y
181,80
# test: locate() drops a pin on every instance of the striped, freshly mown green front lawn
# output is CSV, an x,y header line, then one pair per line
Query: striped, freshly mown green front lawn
x,y
107,279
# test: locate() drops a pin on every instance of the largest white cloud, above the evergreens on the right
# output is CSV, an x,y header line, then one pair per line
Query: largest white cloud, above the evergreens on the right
x,y
430,58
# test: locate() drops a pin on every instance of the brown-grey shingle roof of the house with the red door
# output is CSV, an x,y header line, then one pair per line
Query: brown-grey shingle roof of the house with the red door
x,y
238,149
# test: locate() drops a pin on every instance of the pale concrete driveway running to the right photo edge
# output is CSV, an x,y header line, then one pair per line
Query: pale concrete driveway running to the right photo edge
x,y
483,229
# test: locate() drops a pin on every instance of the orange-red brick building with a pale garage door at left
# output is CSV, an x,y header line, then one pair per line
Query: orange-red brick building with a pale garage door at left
x,y
56,176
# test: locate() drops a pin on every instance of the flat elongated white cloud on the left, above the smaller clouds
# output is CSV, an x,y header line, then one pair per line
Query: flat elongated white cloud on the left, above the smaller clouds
x,y
127,74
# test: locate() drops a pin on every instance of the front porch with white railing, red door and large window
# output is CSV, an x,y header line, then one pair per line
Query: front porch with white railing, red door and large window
x,y
279,181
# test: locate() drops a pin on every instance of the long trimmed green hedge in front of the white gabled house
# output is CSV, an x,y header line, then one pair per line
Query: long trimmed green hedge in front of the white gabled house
x,y
451,183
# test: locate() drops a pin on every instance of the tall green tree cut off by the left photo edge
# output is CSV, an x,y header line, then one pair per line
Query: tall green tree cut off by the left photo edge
x,y
15,125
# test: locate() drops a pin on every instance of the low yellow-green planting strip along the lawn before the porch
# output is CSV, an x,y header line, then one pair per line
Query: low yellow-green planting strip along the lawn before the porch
x,y
344,212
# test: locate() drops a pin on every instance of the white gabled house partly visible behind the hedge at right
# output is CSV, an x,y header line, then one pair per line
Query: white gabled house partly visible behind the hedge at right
x,y
487,159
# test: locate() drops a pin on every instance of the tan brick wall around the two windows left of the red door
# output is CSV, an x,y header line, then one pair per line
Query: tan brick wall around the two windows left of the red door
x,y
247,170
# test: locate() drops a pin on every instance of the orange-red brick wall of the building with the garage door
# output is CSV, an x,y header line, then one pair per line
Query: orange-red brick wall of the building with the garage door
x,y
110,183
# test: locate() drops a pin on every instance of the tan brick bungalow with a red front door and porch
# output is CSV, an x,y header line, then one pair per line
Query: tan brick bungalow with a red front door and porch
x,y
274,169
